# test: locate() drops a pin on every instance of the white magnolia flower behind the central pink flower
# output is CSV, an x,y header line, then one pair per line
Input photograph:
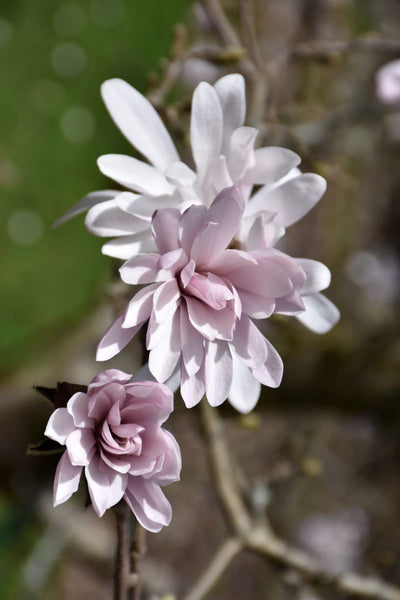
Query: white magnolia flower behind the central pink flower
x,y
224,154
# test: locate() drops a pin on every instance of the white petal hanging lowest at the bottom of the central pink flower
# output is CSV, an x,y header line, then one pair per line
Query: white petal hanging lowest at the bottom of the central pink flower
x,y
245,389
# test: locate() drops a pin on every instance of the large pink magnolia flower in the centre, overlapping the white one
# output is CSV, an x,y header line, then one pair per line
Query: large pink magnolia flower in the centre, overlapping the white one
x,y
202,300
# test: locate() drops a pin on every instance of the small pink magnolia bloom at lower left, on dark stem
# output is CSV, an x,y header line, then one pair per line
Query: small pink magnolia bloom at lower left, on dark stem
x,y
114,433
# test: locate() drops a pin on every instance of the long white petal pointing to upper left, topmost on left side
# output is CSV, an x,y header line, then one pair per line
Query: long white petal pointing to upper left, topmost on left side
x,y
138,121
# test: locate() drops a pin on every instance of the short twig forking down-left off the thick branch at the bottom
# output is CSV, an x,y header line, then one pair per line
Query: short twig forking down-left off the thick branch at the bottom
x,y
218,564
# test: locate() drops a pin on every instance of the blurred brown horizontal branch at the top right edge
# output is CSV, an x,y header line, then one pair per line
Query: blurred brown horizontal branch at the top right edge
x,y
323,50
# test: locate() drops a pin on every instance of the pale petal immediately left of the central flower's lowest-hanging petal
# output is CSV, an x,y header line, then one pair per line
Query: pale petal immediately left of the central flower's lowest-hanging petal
x,y
218,371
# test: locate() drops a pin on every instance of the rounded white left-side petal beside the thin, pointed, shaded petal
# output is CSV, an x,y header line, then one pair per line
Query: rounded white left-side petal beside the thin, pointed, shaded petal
x,y
107,220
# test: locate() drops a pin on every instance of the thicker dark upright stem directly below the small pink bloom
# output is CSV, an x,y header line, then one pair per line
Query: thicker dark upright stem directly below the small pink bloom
x,y
122,560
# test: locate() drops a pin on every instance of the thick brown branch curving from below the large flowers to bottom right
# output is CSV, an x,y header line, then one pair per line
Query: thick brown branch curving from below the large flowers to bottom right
x,y
260,538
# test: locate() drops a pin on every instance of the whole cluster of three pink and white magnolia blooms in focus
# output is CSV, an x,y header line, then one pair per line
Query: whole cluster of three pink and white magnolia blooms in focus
x,y
202,243
